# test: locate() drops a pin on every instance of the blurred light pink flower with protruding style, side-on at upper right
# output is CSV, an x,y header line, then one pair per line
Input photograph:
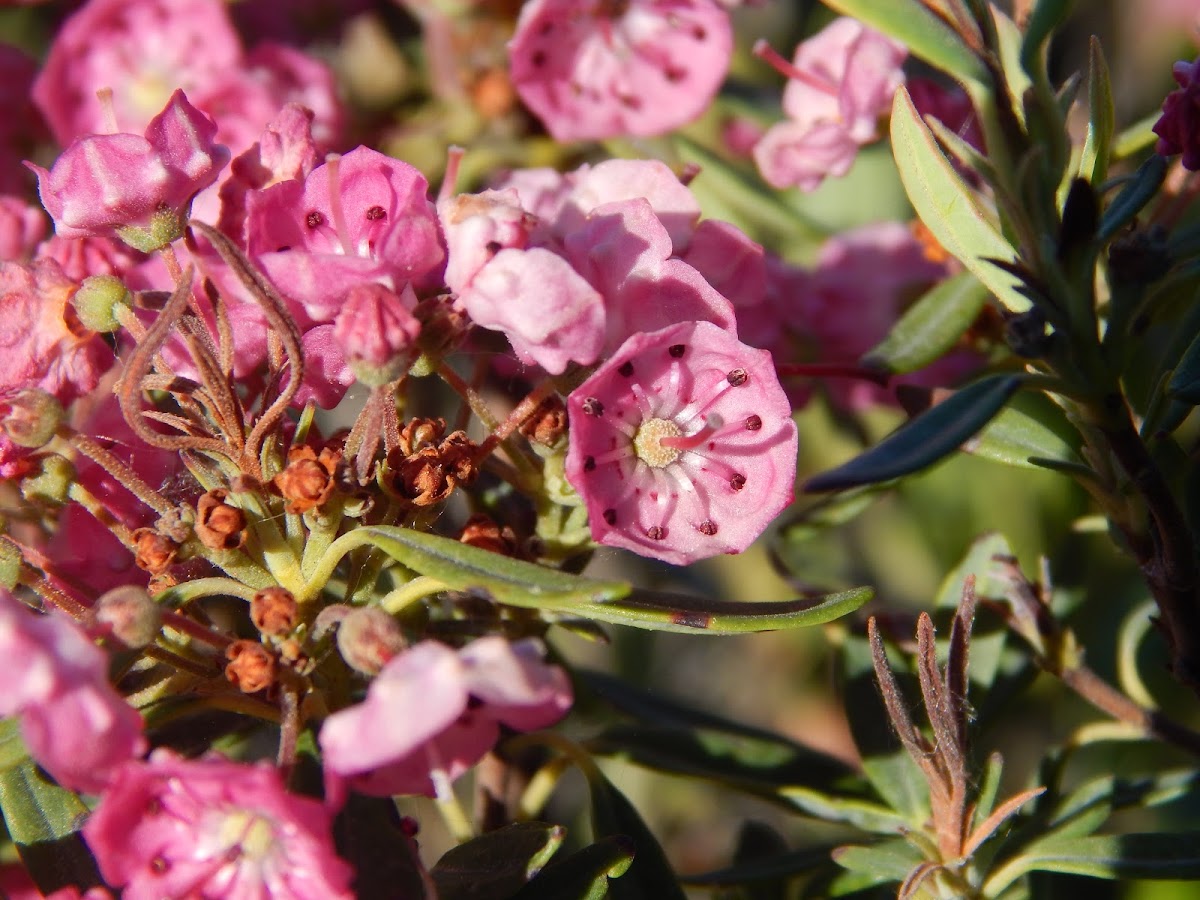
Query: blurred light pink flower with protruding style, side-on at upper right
x,y
841,82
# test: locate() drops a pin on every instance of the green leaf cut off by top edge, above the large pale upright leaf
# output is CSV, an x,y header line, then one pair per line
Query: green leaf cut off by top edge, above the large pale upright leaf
x,y
925,34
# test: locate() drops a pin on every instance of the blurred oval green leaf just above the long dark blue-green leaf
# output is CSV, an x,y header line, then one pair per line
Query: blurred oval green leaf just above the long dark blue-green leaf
x,y
931,327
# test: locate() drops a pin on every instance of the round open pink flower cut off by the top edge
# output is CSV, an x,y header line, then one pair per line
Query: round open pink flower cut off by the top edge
x,y
598,70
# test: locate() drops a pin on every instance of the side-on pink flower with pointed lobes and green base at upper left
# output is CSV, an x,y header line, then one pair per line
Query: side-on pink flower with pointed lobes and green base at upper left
x,y
136,188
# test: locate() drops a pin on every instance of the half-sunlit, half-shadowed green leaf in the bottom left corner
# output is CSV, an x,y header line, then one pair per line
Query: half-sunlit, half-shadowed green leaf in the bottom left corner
x,y
44,823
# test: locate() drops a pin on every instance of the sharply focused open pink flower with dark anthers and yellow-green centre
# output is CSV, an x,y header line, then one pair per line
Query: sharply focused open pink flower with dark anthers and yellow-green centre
x,y
682,445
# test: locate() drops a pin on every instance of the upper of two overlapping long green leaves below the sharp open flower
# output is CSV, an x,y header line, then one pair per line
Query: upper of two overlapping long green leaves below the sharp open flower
x,y
463,568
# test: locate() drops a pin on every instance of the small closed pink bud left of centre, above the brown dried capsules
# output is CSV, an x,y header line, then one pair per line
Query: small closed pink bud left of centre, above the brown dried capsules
x,y
375,332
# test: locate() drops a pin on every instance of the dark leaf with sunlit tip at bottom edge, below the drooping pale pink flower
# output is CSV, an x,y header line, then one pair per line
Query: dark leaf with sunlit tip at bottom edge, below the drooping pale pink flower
x,y
496,866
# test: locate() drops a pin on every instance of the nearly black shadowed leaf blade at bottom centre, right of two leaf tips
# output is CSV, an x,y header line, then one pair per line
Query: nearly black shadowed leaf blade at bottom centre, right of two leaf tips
x,y
651,877
